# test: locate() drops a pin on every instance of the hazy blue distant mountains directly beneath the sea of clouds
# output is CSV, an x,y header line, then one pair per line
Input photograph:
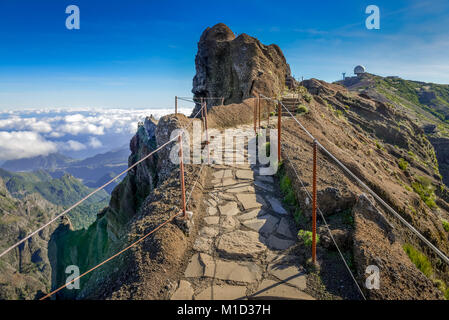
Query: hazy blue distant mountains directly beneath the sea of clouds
x,y
93,171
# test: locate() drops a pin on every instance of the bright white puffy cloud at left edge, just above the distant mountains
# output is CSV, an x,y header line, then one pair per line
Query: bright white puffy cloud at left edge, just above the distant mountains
x,y
23,144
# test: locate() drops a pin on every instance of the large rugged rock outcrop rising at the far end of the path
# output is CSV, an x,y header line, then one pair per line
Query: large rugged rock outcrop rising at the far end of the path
x,y
237,68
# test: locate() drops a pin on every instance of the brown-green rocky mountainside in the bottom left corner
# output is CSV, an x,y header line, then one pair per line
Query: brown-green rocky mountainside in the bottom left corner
x,y
25,272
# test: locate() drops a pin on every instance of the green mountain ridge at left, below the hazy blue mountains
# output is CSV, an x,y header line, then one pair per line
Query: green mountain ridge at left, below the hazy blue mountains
x,y
64,192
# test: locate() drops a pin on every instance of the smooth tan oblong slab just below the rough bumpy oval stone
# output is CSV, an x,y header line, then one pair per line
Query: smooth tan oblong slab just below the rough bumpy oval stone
x,y
232,271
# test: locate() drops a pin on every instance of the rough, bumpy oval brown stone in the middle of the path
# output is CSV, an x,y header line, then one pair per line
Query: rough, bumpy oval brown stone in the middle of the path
x,y
241,243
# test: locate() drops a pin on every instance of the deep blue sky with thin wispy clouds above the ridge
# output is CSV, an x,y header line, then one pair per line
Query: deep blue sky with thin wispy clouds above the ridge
x,y
140,54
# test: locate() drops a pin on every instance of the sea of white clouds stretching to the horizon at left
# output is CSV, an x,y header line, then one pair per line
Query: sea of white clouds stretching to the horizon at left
x,y
76,132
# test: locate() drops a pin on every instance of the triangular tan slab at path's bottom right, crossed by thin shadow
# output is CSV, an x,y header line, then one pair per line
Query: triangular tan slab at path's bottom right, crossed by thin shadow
x,y
270,289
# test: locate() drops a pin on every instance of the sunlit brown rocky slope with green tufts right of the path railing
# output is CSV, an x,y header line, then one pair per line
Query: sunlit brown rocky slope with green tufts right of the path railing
x,y
389,152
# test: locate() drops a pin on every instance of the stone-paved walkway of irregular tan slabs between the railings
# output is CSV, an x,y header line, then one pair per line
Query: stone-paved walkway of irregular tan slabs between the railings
x,y
241,251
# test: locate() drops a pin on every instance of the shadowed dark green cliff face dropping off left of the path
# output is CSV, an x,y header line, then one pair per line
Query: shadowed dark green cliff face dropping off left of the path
x,y
111,231
